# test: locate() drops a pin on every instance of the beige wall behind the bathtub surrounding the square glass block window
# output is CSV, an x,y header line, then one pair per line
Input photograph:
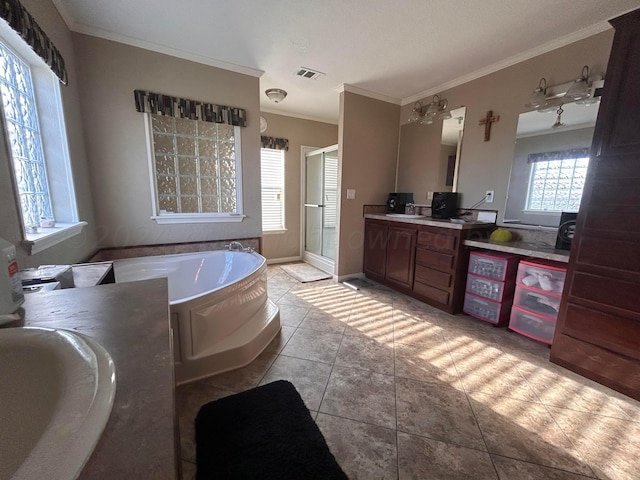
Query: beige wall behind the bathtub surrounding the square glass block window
x,y
116,143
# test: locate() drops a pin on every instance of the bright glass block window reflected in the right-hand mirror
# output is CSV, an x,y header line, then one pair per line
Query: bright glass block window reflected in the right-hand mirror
x,y
556,185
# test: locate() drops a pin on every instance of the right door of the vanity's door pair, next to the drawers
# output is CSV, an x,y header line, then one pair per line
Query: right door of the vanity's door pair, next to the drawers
x,y
401,255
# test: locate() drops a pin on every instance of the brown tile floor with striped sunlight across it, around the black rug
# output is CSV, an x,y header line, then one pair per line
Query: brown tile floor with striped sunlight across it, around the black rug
x,y
401,390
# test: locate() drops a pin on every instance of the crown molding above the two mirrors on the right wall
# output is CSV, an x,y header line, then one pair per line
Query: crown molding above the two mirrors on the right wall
x,y
508,62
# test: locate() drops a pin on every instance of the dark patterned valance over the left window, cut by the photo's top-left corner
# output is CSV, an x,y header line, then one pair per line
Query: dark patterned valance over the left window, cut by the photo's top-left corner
x,y
24,24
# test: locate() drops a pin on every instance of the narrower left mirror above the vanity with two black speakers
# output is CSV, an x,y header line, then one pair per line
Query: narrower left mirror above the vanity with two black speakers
x,y
429,156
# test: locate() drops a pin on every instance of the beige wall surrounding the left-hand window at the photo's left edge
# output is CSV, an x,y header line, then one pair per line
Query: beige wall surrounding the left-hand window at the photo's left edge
x,y
82,246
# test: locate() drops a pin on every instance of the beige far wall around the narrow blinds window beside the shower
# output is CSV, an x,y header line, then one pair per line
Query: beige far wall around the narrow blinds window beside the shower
x,y
300,133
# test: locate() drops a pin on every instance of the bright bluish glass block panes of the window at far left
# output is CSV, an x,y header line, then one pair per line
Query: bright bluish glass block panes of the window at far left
x,y
23,130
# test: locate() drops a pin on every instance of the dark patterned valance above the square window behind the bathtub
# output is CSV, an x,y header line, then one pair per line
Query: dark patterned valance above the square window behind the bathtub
x,y
159,104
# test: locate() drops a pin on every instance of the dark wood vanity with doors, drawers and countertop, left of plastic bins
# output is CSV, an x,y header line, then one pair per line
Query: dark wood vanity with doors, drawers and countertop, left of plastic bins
x,y
421,257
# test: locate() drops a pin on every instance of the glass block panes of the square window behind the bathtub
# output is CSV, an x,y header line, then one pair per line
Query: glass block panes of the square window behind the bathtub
x,y
196,166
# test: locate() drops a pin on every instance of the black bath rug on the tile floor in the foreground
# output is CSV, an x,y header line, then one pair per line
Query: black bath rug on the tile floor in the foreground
x,y
264,433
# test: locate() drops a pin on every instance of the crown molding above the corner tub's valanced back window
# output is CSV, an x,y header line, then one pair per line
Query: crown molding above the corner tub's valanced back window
x,y
134,42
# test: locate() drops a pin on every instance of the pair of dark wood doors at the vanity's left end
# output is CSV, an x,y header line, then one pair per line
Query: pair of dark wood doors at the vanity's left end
x,y
390,250
